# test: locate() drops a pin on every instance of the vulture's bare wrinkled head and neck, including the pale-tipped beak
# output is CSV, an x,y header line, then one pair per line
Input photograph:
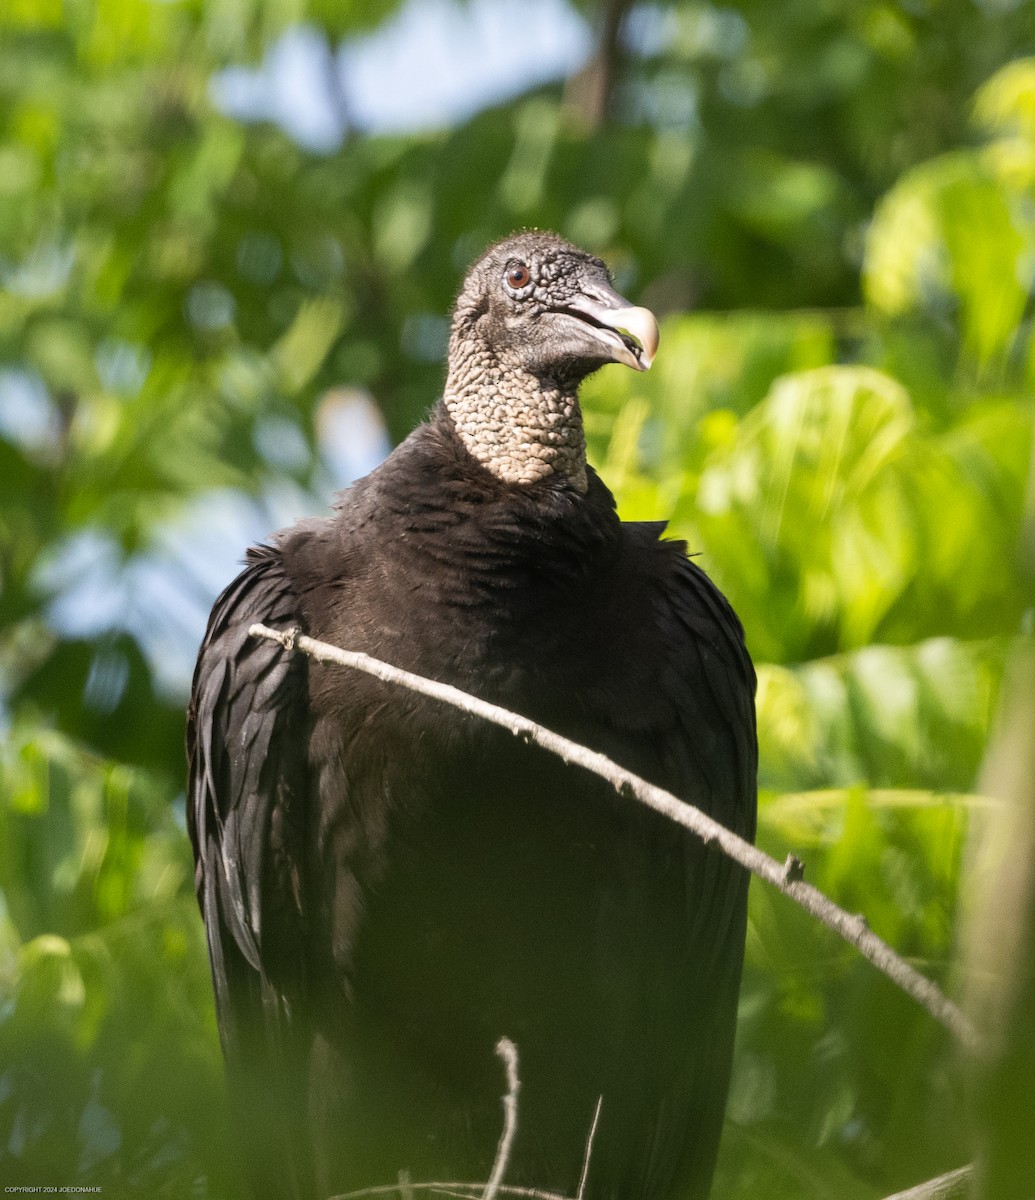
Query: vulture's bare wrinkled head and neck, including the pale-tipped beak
x,y
534,319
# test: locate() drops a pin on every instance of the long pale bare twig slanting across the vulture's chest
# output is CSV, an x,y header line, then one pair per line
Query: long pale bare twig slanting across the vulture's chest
x,y
786,877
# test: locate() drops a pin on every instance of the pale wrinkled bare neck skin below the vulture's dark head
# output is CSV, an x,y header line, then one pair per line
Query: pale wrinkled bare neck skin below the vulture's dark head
x,y
518,425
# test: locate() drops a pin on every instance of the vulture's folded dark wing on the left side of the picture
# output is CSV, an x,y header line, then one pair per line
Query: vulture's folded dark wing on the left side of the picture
x,y
248,788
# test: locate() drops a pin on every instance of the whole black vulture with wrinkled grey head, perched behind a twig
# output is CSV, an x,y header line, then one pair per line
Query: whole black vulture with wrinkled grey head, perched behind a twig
x,y
391,886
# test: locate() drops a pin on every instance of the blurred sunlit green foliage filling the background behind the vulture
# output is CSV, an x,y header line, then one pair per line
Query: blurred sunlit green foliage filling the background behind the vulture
x,y
830,205
